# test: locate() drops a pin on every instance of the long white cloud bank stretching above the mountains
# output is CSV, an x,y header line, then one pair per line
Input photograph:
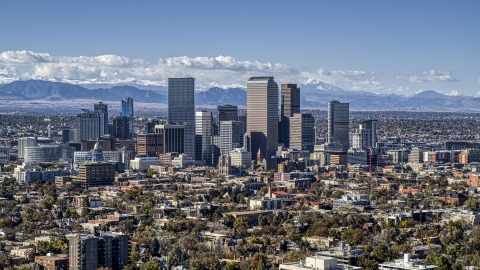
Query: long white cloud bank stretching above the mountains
x,y
220,71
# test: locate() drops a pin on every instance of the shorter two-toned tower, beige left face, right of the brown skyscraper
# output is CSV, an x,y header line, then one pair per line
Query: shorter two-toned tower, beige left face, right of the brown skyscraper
x,y
302,132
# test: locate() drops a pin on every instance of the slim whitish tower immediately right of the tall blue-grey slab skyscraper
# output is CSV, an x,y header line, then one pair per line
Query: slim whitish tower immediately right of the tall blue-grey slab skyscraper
x,y
203,136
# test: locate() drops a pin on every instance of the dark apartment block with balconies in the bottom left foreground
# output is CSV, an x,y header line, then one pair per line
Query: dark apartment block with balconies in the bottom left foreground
x,y
90,252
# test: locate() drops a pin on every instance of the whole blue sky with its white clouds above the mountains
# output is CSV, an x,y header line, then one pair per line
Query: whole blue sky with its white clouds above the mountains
x,y
379,46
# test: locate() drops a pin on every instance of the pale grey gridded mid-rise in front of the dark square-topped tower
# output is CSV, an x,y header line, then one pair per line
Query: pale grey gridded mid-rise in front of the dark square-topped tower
x,y
231,136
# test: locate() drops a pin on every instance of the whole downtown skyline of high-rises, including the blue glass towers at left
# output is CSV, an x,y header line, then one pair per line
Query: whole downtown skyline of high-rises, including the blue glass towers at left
x,y
202,138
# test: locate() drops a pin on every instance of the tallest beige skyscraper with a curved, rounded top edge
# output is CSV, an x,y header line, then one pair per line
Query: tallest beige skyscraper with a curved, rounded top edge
x,y
262,117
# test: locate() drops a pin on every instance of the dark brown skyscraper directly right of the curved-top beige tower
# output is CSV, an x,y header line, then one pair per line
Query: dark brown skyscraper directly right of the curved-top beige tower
x,y
290,105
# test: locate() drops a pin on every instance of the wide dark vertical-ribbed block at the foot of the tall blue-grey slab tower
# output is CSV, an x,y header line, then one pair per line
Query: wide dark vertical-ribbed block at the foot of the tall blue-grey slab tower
x,y
173,137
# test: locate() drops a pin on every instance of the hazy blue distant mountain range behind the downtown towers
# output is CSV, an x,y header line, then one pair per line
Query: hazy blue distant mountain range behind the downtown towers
x,y
313,96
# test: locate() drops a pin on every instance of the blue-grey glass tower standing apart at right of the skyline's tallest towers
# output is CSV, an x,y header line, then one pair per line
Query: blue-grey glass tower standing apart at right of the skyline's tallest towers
x,y
338,123
